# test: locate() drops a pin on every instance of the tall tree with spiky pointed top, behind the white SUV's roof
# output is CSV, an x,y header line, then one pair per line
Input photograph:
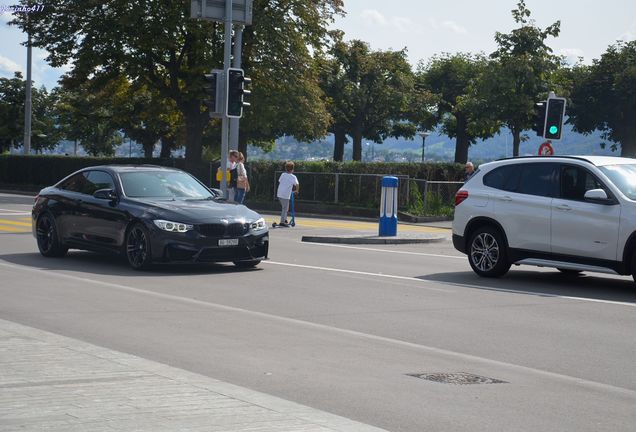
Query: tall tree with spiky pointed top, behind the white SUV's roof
x,y
520,73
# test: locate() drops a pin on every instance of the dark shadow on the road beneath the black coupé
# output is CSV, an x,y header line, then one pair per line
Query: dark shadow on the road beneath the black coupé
x,y
112,265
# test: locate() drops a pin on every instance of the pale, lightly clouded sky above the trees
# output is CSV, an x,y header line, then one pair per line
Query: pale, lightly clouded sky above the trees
x,y
423,27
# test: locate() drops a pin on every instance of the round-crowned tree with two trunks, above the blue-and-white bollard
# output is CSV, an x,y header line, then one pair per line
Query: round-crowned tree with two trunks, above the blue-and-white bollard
x,y
367,93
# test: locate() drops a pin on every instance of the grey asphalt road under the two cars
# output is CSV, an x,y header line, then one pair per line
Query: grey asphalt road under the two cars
x,y
340,328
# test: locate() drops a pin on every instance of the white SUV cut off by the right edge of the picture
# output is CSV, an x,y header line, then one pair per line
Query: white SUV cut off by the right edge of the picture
x,y
573,213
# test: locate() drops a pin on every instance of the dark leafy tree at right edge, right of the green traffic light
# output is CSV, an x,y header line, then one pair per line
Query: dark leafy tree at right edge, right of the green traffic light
x,y
604,97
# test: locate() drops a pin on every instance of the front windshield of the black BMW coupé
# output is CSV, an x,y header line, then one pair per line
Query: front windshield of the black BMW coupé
x,y
163,185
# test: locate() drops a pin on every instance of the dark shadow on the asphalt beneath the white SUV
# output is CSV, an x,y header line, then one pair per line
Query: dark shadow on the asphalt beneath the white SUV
x,y
544,283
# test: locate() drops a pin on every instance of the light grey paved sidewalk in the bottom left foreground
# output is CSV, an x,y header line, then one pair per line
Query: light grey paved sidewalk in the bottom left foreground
x,y
53,383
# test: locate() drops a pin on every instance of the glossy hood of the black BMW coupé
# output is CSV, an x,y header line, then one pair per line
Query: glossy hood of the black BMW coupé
x,y
199,211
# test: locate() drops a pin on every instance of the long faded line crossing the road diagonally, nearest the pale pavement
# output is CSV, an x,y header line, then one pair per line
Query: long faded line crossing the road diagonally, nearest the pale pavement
x,y
352,333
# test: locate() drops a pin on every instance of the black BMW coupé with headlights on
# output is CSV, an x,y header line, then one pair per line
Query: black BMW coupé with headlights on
x,y
147,214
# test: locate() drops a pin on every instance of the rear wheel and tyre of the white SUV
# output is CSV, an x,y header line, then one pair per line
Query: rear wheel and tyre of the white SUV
x,y
487,252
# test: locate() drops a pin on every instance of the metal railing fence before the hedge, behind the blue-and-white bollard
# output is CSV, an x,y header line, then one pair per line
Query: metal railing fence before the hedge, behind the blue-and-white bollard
x,y
363,190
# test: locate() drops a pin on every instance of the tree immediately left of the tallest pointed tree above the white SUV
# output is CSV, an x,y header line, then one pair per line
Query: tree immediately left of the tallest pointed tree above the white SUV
x,y
451,78
